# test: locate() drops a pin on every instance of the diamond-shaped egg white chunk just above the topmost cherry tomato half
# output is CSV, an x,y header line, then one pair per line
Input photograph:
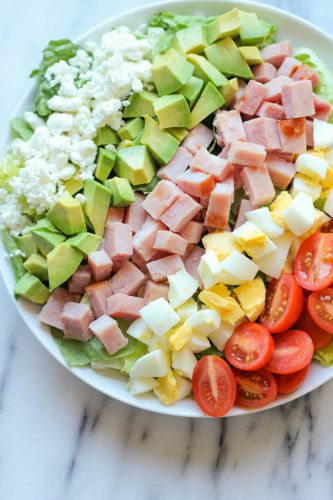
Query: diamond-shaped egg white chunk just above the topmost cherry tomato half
x,y
300,215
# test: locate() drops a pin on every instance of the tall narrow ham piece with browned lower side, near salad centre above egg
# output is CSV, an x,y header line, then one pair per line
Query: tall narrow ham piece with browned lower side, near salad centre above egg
x,y
220,201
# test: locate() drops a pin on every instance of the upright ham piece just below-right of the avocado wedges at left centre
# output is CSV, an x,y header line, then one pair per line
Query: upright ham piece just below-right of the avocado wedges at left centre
x,y
118,241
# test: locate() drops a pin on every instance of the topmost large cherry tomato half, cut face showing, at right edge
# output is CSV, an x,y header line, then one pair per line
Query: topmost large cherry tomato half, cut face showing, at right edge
x,y
314,262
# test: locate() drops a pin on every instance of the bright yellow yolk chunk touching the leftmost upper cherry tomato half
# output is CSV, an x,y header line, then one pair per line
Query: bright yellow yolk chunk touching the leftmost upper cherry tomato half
x,y
252,296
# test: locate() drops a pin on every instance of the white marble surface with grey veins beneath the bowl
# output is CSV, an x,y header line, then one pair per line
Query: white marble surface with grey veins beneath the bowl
x,y
60,439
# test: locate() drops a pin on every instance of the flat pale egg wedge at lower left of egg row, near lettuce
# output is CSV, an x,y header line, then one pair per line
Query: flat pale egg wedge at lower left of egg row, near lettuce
x,y
154,364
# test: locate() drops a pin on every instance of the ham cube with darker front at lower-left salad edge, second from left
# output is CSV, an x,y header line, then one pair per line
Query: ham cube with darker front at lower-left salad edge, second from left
x,y
76,319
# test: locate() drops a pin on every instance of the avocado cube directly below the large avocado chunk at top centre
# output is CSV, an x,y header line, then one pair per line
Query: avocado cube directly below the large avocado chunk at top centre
x,y
172,111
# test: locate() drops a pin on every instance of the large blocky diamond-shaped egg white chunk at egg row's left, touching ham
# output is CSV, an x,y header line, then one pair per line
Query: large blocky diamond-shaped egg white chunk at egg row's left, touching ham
x,y
159,316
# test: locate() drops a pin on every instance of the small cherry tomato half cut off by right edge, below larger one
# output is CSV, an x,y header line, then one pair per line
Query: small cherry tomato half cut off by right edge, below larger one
x,y
320,307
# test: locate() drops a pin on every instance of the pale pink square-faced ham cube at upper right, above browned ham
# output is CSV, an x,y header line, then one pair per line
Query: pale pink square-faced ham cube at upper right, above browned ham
x,y
297,99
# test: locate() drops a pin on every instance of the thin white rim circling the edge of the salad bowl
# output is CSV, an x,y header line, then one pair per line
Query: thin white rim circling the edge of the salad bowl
x,y
80,373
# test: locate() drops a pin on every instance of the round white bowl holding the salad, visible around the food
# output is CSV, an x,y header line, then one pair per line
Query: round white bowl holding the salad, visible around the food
x,y
301,33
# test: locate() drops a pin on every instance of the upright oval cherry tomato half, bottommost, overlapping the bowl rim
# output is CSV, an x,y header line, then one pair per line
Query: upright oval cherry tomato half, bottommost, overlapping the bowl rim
x,y
214,386
